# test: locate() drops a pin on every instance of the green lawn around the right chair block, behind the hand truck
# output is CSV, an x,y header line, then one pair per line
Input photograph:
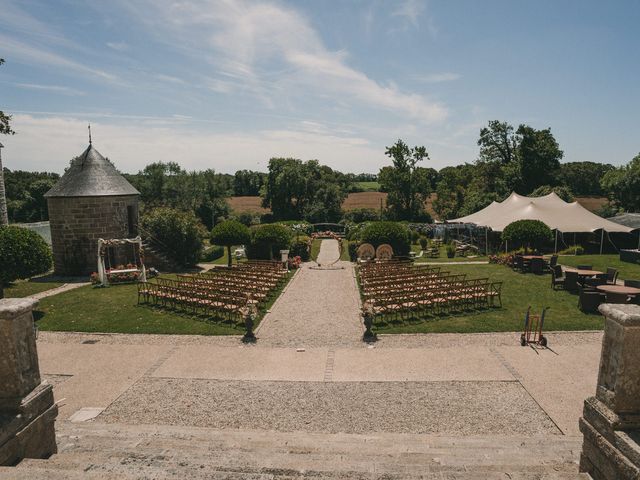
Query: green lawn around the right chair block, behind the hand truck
x,y
518,292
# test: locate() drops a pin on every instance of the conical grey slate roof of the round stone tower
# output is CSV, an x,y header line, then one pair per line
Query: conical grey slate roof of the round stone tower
x,y
91,175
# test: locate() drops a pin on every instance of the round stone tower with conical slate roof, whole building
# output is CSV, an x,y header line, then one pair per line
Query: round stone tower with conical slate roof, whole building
x,y
91,201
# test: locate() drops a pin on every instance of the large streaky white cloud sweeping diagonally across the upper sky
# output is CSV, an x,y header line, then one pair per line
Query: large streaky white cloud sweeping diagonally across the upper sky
x,y
274,54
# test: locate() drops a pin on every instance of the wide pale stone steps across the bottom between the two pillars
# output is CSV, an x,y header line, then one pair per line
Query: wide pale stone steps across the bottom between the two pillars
x,y
113,451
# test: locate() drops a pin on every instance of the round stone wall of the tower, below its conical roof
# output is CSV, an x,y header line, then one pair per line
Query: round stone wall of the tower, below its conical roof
x,y
78,222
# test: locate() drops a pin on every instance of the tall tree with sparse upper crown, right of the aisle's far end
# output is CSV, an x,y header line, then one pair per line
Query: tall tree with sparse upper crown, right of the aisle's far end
x,y
408,186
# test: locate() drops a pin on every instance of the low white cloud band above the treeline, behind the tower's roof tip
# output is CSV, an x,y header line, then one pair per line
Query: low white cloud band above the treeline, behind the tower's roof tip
x,y
132,144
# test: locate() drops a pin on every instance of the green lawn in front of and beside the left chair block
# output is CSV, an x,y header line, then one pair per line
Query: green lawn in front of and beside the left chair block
x,y
115,310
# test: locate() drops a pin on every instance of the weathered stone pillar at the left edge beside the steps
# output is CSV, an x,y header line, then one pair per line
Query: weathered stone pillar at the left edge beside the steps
x,y
27,409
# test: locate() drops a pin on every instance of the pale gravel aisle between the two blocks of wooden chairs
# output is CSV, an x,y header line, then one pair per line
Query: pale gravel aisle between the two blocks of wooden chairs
x,y
319,308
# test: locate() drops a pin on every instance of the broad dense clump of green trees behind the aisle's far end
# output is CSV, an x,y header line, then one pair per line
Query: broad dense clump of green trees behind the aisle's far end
x,y
303,190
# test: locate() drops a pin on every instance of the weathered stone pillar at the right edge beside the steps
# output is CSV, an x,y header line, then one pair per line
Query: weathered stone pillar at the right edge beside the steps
x,y
611,420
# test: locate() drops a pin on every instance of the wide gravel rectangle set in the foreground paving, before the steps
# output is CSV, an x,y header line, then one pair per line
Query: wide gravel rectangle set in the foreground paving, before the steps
x,y
446,408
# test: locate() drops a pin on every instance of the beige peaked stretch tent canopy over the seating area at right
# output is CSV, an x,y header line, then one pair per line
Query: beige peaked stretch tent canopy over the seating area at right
x,y
550,209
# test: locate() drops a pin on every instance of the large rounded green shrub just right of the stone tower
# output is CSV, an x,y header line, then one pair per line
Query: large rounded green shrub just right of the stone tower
x,y
176,233
